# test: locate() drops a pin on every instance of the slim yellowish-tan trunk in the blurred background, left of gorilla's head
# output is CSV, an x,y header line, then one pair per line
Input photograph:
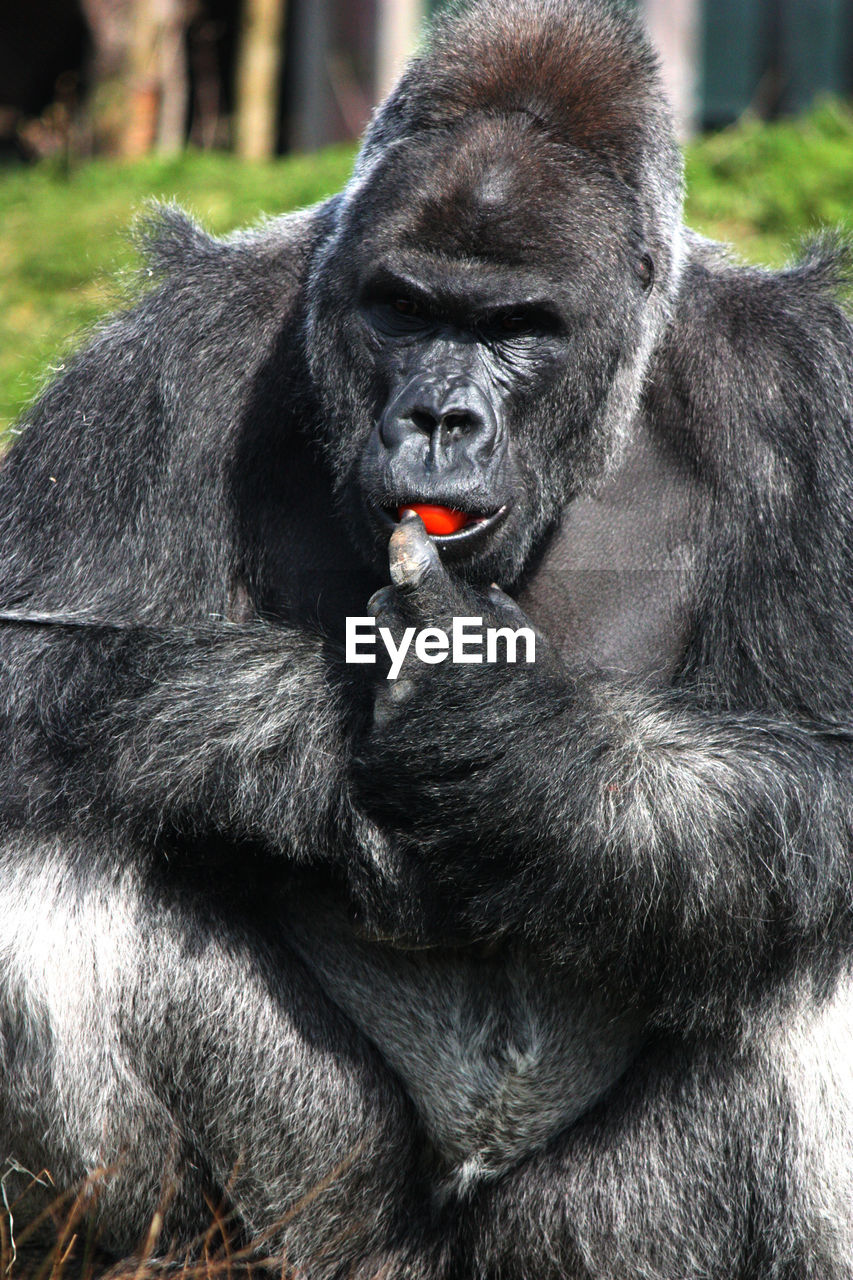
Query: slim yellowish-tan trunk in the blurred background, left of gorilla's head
x,y
258,76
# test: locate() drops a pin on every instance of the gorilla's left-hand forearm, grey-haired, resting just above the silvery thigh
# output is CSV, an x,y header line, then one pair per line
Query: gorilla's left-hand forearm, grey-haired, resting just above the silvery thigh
x,y
230,730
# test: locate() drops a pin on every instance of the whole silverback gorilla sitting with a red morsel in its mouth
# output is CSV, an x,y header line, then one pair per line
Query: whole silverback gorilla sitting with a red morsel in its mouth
x,y
495,971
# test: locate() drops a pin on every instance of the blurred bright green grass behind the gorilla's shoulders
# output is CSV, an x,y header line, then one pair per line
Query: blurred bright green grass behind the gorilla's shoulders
x,y
66,250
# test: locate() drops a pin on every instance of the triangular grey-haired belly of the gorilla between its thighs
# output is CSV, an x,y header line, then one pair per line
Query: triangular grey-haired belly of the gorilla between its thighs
x,y
496,1053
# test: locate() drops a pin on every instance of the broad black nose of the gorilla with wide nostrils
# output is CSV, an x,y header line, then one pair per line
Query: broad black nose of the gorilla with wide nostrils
x,y
446,419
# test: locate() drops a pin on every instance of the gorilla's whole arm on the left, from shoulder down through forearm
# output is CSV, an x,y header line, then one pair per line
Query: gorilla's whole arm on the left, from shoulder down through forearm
x,y
121,501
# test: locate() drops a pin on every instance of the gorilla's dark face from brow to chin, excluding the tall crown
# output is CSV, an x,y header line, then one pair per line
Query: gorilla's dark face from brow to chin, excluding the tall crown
x,y
480,327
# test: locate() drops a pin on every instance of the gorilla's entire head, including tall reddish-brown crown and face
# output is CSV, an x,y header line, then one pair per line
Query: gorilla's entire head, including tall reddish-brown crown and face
x,y
495,280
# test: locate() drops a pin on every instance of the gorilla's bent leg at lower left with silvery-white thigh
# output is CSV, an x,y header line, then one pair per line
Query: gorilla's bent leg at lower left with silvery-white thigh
x,y
176,1054
